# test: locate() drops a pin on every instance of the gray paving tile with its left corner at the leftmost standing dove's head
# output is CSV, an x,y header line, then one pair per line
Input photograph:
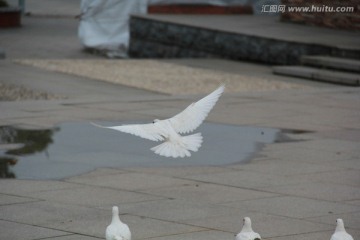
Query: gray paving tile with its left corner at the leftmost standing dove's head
x,y
175,210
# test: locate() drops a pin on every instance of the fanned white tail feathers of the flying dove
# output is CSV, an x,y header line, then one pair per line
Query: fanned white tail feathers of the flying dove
x,y
179,149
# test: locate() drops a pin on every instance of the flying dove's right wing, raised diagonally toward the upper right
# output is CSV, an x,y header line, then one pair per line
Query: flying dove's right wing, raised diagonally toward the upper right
x,y
192,117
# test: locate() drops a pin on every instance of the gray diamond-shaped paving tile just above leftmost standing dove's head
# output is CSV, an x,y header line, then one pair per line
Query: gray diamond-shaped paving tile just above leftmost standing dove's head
x,y
93,196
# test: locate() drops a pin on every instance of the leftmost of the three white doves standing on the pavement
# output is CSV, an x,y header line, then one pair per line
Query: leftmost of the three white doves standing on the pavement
x,y
117,230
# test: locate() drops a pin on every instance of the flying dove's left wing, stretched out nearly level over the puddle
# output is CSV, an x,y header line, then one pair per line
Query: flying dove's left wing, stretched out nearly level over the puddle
x,y
148,131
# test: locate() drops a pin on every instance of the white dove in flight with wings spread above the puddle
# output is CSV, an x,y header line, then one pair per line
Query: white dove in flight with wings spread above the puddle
x,y
169,130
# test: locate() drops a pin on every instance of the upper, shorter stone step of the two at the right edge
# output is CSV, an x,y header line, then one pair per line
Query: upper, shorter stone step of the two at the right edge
x,y
332,62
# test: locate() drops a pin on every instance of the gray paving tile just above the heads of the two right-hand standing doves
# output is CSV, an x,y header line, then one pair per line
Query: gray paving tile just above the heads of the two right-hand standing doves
x,y
294,207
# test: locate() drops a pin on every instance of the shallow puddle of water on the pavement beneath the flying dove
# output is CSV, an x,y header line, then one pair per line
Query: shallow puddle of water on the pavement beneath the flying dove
x,y
76,148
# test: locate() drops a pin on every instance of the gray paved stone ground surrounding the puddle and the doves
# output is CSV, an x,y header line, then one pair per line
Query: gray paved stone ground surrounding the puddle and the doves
x,y
291,189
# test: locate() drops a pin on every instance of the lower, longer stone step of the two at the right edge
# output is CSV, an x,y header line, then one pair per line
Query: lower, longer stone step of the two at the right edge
x,y
330,76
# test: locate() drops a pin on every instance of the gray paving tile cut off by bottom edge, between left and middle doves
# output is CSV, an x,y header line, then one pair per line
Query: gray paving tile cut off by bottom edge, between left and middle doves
x,y
202,235
